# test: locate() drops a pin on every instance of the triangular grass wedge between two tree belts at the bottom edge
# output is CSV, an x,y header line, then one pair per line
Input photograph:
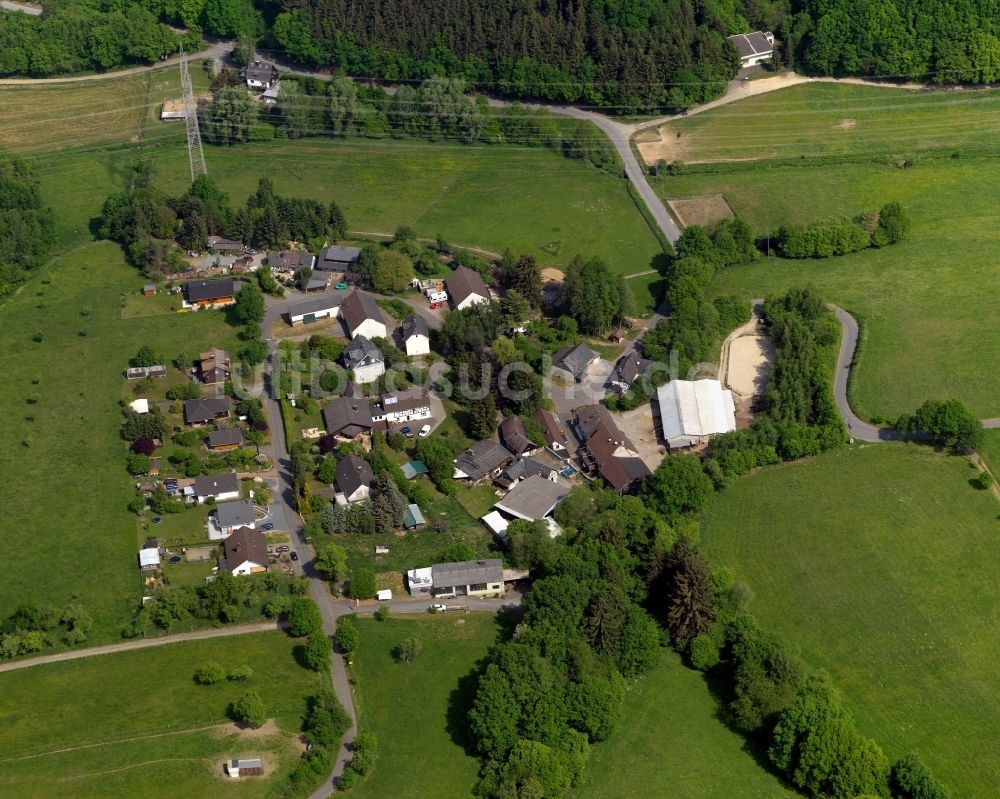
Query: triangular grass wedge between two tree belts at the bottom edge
x,y
672,743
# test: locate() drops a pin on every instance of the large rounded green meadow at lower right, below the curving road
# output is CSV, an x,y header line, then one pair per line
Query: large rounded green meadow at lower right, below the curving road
x,y
880,562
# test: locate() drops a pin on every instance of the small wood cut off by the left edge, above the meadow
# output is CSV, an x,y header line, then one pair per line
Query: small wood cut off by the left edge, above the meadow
x,y
25,223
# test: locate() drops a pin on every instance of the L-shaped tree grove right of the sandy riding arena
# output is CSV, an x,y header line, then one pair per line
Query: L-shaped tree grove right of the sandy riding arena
x,y
800,415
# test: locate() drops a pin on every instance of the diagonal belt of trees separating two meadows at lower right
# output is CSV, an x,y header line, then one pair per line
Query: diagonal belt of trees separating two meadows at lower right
x,y
798,717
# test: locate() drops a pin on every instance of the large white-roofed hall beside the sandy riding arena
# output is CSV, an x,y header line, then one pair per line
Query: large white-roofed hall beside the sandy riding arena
x,y
692,411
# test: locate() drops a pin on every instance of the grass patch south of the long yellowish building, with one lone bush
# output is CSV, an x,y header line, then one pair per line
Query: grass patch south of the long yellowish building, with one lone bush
x,y
417,710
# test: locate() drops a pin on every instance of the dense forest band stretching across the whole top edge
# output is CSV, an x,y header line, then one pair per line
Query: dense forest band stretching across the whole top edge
x,y
626,55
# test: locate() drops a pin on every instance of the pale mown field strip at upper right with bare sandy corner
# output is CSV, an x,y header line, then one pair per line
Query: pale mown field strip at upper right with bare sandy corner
x,y
823,119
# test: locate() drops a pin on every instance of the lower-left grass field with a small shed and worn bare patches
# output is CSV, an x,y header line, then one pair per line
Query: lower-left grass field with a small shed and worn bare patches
x,y
135,723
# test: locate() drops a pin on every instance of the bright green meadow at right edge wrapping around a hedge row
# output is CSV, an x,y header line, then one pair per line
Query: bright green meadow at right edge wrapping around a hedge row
x,y
929,301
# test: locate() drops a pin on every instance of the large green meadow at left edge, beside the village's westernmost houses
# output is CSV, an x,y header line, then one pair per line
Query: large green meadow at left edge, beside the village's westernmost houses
x,y
66,530
